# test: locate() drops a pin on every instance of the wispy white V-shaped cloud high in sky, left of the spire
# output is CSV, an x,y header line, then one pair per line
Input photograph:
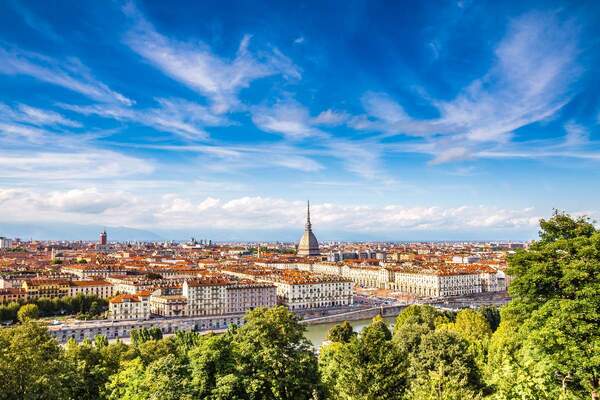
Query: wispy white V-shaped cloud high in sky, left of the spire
x,y
196,66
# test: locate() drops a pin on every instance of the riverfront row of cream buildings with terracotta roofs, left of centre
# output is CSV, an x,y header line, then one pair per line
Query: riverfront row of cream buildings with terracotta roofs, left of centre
x,y
235,290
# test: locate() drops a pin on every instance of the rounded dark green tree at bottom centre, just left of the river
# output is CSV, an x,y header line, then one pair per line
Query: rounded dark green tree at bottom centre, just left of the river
x,y
274,359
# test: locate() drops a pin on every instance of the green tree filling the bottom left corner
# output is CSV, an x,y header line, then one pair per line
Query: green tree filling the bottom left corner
x,y
32,364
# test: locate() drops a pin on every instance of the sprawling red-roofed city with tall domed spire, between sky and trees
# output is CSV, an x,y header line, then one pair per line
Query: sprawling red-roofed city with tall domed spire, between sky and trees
x,y
206,286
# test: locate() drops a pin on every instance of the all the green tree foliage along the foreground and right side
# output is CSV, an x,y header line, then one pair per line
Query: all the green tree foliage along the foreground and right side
x,y
543,345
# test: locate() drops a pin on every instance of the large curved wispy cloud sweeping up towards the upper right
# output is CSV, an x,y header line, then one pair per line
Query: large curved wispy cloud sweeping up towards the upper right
x,y
529,81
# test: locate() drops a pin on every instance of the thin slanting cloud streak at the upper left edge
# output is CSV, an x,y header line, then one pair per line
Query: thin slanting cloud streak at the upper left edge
x,y
70,74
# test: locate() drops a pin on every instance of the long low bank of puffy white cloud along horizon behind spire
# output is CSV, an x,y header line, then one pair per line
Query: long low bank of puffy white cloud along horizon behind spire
x,y
172,211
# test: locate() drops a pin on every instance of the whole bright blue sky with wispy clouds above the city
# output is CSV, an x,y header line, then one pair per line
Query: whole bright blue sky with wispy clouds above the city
x,y
399,120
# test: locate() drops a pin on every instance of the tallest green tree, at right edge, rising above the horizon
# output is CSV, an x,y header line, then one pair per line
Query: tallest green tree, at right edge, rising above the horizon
x,y
551,330
